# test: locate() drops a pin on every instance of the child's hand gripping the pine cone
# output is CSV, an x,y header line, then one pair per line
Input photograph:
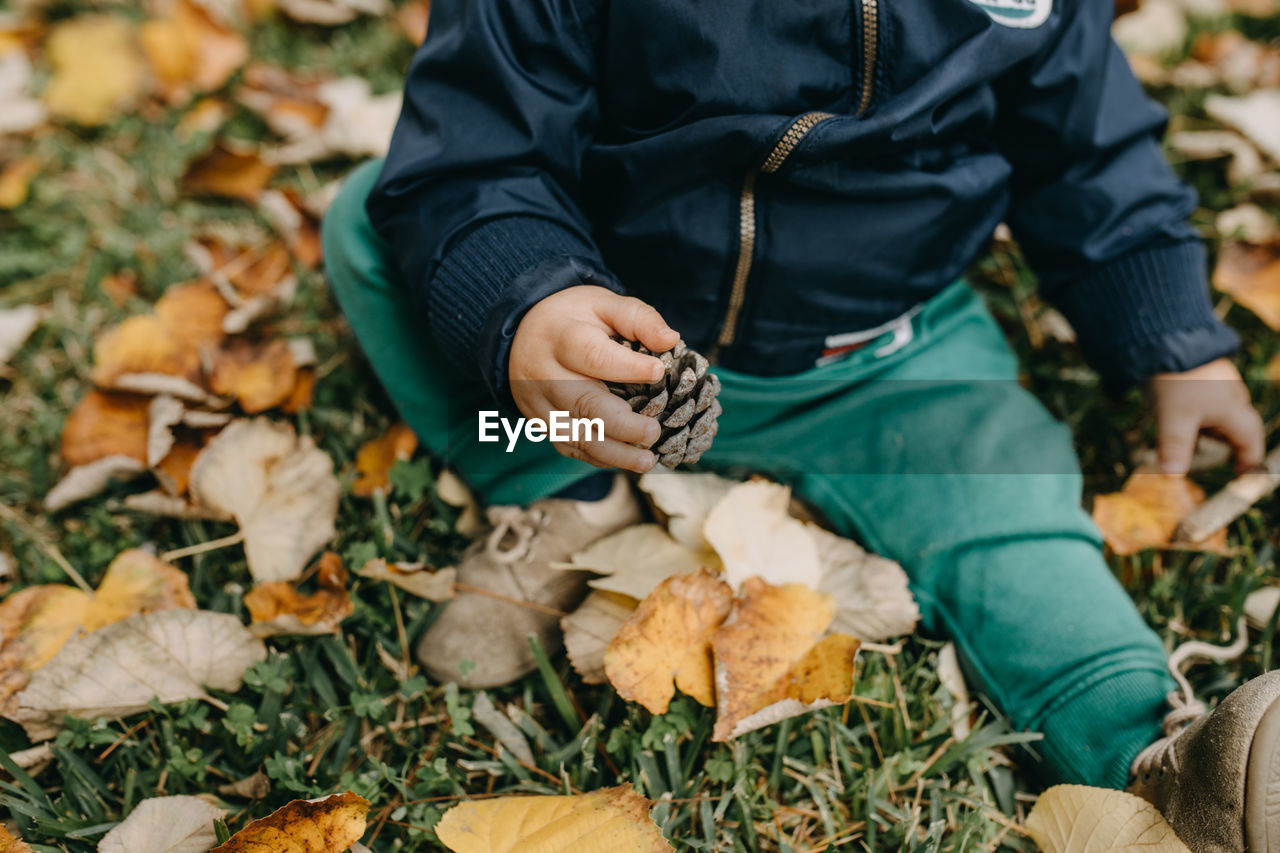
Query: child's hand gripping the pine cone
x,y
561,355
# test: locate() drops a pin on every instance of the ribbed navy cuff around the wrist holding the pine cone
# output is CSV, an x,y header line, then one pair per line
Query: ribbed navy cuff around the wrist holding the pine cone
x,y
490,279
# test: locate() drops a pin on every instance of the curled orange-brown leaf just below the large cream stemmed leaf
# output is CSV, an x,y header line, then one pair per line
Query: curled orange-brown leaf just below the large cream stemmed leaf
x,y
278,608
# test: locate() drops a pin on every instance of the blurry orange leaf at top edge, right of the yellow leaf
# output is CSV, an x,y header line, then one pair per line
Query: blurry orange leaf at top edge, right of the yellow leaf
x,y
190,52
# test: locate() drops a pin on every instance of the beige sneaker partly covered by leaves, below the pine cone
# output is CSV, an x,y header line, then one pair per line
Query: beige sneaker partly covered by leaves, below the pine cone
x,y
527,596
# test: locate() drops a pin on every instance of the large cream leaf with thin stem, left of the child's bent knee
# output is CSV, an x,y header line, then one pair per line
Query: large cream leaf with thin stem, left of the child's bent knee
x,y
280,489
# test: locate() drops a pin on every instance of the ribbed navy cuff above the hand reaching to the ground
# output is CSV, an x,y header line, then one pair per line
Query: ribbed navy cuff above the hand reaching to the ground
x,y
1148,313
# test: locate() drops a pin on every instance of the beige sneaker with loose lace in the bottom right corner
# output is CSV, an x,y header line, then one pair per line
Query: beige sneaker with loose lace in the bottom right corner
x,y
1217,777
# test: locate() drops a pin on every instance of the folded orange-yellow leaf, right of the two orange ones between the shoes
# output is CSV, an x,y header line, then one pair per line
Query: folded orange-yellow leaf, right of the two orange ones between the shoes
x,y
772,662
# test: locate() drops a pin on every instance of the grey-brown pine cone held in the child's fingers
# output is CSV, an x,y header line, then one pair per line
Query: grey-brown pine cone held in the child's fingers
x,y
684,403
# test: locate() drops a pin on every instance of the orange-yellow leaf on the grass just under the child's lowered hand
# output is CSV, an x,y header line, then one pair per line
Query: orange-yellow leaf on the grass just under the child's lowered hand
x,y
1145,514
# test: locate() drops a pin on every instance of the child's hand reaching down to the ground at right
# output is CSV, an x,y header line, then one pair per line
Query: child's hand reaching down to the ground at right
x,y
1210,398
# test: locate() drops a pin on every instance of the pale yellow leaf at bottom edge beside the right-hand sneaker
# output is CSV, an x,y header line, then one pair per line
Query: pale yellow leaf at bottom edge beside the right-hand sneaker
x,y
1076,819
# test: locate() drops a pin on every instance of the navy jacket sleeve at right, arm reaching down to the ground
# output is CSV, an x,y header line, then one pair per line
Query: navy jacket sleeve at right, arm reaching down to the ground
x,y
1098,209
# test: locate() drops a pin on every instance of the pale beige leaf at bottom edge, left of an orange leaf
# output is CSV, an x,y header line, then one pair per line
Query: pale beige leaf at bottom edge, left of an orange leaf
x,y
166,825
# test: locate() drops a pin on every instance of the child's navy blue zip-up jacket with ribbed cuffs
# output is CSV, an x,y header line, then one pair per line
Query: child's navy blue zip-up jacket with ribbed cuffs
x,y
769,174
